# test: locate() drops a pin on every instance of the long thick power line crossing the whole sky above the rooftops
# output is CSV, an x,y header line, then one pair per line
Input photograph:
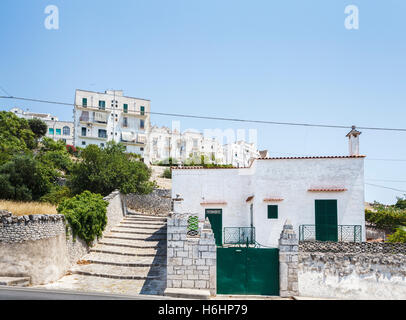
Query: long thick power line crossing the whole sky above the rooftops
x,y
223,118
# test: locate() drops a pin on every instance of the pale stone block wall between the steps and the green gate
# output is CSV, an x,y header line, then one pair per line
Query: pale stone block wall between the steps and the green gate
x,y
191,261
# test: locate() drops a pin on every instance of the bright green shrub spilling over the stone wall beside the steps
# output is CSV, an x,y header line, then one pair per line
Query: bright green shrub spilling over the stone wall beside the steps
x,y
86,214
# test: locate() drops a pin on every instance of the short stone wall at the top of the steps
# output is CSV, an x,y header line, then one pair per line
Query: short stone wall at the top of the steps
x,y
158,202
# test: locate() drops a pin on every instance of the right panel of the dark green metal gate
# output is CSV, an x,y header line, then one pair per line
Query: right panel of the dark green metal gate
x,y
262,271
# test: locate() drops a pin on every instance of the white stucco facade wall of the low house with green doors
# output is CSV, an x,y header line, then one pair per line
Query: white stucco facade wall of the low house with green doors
x,y
288,179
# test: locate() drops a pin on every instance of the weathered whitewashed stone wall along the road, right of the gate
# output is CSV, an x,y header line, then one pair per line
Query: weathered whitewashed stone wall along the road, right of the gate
x,y
352,270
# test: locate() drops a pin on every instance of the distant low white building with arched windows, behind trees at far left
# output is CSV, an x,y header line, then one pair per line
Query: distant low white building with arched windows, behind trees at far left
x,y
56,129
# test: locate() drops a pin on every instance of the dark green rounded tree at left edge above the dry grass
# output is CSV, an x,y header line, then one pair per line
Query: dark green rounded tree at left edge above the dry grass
x,y
24,178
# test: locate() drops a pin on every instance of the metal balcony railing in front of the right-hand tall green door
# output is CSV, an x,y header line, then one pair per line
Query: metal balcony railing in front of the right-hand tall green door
x,y
340,233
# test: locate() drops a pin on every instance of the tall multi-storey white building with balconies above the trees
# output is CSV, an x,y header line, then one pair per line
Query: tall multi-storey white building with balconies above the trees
x,y
111,116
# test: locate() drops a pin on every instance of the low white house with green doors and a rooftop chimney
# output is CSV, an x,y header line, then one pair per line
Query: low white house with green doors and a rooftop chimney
x,y
323,196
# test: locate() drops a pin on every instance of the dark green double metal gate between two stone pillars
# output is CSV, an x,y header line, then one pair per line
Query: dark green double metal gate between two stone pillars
x,y
245,270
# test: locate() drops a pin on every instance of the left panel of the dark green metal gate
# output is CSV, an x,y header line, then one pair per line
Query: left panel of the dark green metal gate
x,y
231,270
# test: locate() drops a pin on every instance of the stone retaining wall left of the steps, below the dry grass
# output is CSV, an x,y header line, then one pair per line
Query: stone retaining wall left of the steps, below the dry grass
x,y
37,246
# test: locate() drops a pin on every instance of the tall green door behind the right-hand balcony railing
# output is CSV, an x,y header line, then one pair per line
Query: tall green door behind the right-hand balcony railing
x,y
326,220
